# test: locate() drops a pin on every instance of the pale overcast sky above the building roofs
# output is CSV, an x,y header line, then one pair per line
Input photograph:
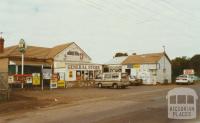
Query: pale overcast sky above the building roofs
x,y
104,27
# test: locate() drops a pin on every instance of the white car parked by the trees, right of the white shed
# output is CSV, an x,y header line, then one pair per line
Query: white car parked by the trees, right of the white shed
x,y
185,79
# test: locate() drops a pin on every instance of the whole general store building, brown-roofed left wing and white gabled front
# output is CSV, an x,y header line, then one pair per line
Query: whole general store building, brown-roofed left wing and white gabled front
x,y
69,60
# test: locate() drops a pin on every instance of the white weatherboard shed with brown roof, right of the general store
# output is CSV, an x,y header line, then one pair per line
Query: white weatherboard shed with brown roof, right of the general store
x,y
151,68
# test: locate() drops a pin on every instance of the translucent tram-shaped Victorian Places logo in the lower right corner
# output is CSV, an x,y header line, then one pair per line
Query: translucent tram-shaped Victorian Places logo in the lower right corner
x,y
182,103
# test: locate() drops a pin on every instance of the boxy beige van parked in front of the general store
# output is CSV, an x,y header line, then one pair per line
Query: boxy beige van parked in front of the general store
x,y
115,80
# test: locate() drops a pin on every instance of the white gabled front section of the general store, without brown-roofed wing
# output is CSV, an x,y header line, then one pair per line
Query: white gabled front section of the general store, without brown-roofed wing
x,y
73,64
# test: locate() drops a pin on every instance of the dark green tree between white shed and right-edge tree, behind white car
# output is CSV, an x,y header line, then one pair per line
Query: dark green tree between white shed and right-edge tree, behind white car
x,y
178,65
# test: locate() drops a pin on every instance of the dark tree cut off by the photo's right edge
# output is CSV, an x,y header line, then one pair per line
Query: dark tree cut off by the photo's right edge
x,y
195,64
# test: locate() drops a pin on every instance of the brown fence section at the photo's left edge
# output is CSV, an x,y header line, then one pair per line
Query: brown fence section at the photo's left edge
x,y
4,88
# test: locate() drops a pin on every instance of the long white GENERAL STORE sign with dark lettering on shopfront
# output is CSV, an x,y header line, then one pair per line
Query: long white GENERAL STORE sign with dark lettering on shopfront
x,y
85,67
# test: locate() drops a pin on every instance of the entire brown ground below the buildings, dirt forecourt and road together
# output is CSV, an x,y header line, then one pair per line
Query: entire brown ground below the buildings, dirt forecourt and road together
x,y
100,105
